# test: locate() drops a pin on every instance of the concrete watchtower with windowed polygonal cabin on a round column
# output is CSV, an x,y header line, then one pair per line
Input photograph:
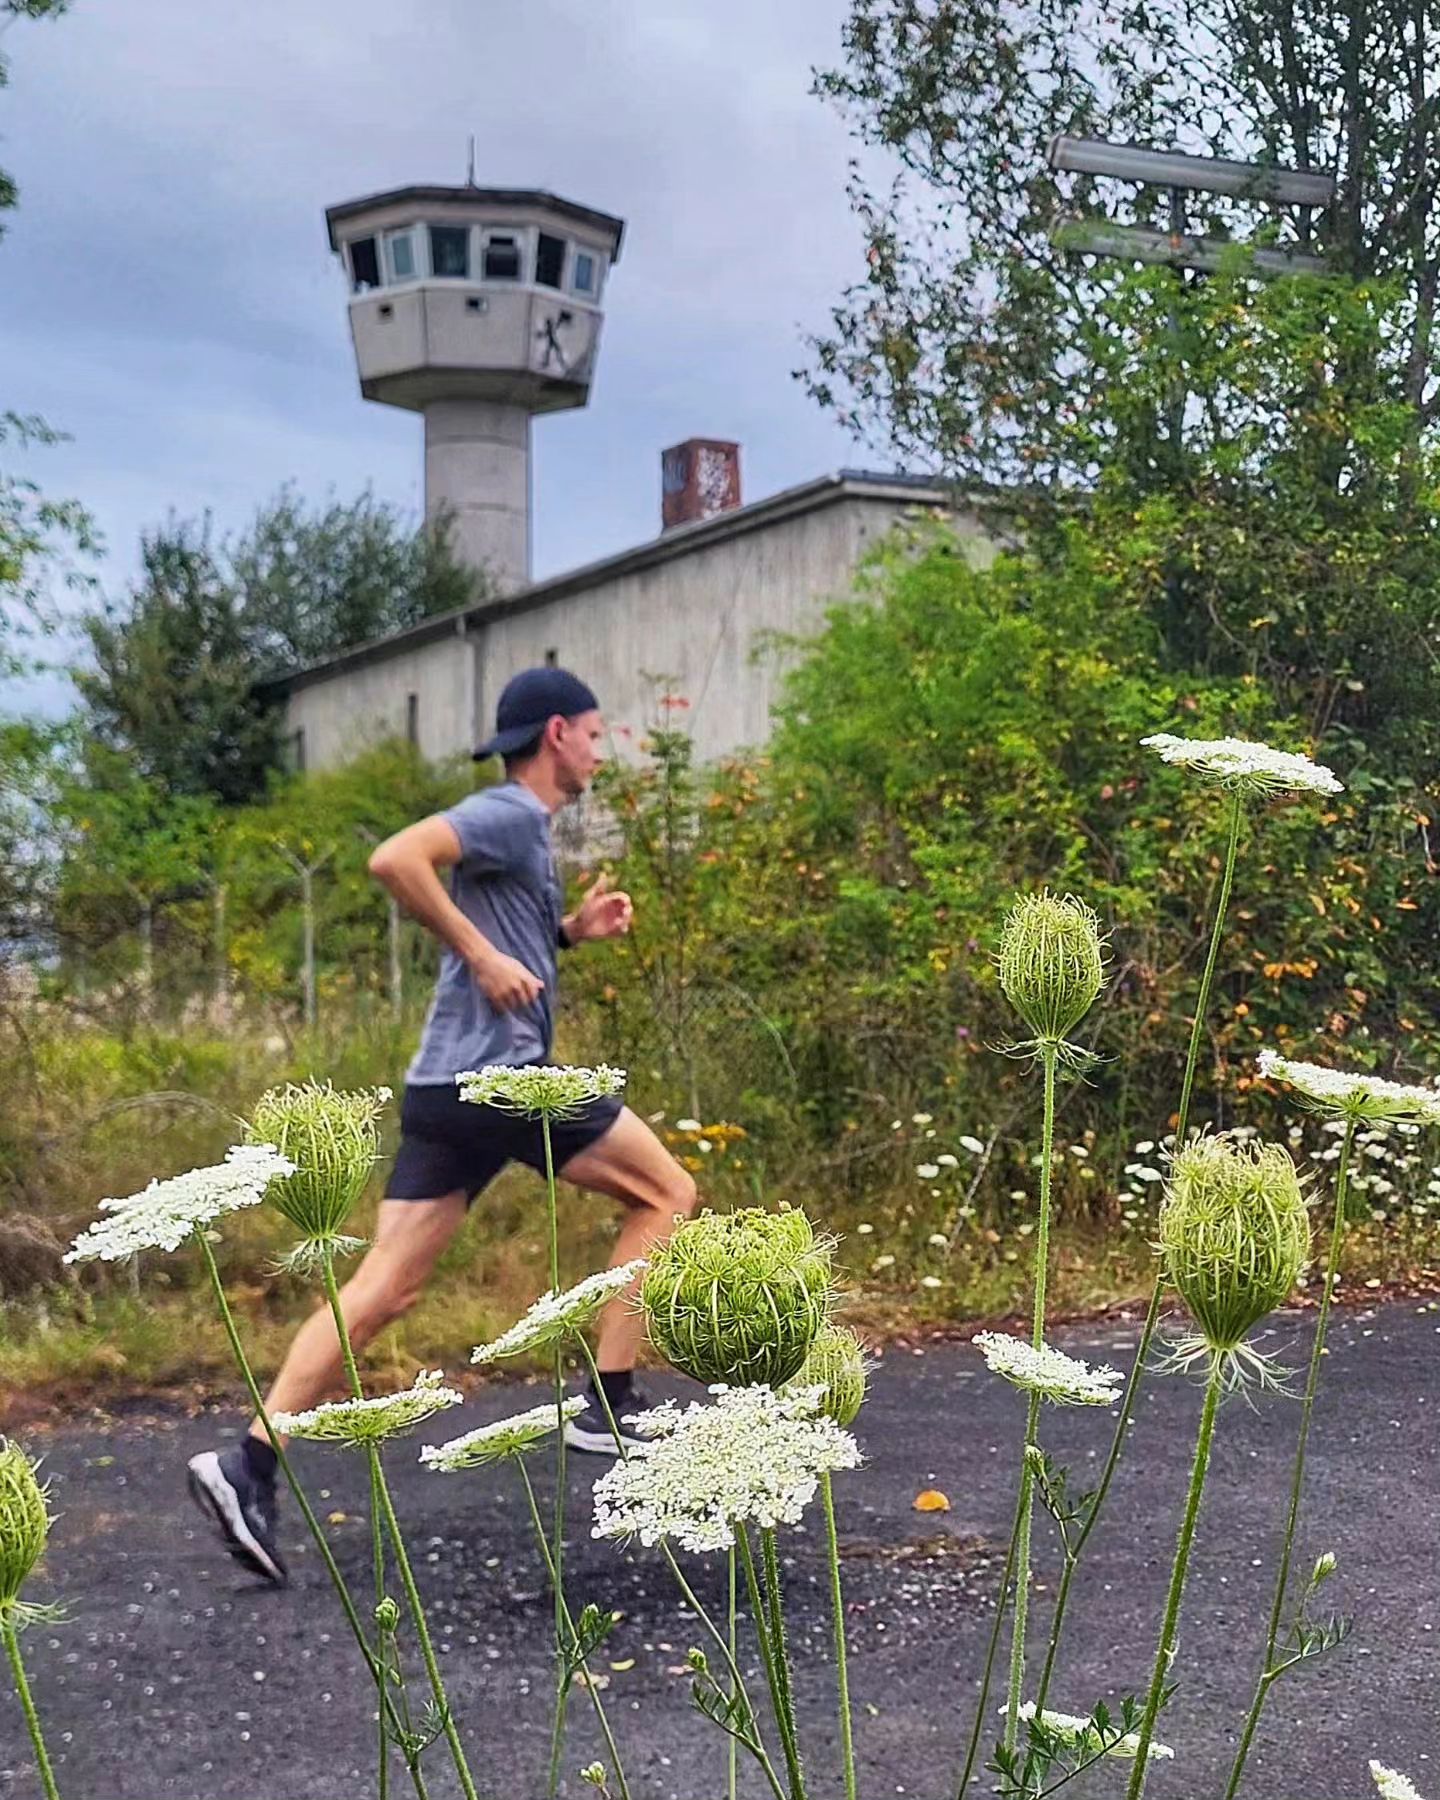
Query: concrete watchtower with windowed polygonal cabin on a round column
x,y
478,307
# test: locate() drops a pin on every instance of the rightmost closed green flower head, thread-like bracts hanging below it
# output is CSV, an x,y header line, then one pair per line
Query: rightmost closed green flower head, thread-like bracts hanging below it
x,y
1234,1234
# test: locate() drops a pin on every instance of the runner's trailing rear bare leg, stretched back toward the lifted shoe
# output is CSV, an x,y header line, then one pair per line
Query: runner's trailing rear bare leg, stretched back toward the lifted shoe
x,y
409,1241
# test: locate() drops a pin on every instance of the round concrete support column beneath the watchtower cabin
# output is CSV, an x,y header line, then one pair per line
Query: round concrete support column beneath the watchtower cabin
x,y
478,476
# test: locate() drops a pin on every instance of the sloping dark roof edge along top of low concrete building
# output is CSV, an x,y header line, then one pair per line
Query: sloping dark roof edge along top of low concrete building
x,y
827,490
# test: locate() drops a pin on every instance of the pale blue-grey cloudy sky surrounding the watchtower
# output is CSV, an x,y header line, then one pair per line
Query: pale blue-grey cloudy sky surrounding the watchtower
x,y
168,296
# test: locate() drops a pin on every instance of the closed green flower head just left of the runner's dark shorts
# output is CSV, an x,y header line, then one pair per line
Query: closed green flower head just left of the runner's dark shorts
x,y
334,1142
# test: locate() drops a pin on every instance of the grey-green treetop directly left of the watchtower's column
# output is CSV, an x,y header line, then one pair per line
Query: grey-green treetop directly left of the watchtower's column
x,y
319,580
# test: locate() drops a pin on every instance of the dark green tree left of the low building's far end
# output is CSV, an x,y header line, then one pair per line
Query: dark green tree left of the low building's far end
x,y
174,676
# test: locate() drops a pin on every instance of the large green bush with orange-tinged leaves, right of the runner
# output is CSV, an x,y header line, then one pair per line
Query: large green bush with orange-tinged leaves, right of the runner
x,y
958,733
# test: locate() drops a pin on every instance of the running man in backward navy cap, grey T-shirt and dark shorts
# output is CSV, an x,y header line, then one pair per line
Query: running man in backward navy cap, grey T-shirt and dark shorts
x,y
499,921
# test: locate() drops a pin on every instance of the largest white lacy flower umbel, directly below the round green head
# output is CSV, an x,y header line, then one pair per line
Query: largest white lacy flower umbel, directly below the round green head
x,y
753,1457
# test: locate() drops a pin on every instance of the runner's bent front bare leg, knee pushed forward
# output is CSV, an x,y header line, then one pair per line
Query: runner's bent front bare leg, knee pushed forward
x,y
631,1165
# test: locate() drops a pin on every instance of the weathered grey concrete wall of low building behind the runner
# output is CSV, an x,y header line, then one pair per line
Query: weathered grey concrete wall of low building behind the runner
x,y
694,618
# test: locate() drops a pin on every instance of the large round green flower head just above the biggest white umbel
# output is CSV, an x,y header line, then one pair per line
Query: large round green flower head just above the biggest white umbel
x,y
739,1297
